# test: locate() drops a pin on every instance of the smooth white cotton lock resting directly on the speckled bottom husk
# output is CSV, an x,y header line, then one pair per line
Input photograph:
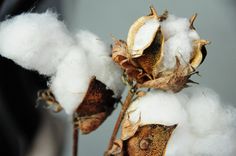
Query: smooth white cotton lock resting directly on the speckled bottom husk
x,y
157,107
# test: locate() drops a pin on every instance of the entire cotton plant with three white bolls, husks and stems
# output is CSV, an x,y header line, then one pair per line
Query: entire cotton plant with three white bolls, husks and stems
x,y
159,116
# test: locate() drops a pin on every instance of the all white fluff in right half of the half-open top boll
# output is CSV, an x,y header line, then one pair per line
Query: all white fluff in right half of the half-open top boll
x,y
178,41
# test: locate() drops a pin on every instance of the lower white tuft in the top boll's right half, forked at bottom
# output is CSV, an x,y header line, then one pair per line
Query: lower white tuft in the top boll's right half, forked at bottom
x,y
179,45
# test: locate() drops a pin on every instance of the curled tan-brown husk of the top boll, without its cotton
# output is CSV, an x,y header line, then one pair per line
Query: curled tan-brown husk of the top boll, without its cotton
x,y
145,65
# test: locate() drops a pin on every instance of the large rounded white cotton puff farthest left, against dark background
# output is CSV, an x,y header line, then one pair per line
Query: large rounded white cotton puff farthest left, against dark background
x,y
35,41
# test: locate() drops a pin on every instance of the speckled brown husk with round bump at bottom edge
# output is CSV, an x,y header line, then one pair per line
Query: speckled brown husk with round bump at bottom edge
x,y
149,140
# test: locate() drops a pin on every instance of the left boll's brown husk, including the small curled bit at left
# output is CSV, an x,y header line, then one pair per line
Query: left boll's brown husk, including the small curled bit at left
x,y
96,106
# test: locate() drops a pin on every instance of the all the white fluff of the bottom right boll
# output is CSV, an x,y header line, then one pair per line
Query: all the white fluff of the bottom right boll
x,y
206,127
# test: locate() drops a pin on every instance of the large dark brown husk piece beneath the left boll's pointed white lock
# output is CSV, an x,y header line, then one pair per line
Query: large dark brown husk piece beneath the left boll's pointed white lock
x,y
96,106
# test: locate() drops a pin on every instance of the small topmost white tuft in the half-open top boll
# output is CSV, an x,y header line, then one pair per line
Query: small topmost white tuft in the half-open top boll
x,y
173,25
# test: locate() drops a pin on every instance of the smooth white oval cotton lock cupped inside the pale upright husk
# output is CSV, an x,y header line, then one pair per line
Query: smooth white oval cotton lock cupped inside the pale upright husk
x,y
145,34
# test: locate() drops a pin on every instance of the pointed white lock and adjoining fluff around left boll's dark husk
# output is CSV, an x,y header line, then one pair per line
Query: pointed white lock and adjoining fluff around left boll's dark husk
x,y
90,57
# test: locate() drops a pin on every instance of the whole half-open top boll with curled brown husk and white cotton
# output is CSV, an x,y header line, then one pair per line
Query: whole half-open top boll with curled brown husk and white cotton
x,y
157,56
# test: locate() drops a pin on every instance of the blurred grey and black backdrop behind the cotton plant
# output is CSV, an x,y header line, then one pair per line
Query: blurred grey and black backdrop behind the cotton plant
x,y
31,131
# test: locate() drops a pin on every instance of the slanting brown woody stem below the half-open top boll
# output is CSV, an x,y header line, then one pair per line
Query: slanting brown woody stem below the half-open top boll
x,y
125,106
